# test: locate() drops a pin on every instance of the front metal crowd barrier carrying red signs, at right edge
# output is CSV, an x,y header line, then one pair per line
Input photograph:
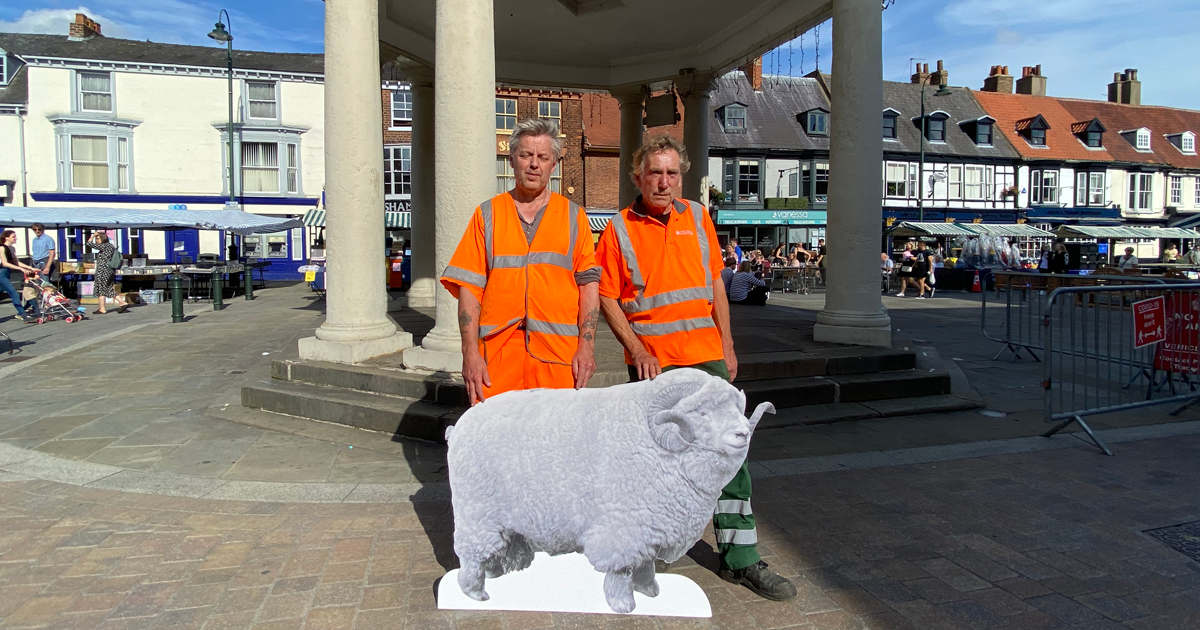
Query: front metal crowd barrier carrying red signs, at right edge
x,y
1093,364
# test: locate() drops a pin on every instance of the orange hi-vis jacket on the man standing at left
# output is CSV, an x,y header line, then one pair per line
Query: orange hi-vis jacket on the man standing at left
x,y
530,286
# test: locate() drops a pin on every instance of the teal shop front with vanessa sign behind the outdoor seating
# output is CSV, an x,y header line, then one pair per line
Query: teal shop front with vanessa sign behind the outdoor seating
x,y
766,230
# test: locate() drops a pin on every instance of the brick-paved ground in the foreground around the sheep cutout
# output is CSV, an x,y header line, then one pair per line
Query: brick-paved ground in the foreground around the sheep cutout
x,y
1040,541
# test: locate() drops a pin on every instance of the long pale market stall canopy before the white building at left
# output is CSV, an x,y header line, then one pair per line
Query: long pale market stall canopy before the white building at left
x,y
118,218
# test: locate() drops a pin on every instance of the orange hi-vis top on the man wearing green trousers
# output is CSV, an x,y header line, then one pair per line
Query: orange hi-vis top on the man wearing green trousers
x,y
663,278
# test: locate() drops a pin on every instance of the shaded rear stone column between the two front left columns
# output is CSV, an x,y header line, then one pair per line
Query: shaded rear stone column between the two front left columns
x,y
423,267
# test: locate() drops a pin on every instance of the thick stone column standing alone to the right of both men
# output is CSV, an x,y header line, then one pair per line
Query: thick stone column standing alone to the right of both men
x,y
854,313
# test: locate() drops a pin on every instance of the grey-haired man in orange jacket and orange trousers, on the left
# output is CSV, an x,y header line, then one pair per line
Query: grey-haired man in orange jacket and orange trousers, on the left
x,y
526,279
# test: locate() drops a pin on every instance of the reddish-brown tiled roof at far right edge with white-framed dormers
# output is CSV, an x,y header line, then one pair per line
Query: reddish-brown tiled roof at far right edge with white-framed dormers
x,y
1161,122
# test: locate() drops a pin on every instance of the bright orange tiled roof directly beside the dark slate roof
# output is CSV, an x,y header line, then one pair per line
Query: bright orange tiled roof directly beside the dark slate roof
x,y
1011,110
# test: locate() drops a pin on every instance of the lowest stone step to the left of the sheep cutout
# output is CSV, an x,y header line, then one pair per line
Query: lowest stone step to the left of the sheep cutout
x,y
389,415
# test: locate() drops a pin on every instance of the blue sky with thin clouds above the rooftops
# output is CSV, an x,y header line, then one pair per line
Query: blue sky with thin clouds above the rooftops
x,y
1079,44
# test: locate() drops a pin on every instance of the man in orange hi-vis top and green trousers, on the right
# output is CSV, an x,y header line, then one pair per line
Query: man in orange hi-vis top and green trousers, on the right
x,y
691,331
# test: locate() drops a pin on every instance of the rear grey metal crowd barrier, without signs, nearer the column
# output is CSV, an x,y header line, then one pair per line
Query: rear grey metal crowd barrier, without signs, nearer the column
x,y
1025,302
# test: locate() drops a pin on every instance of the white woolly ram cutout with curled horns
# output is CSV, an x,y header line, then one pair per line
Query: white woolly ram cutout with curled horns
x,y
623,475
